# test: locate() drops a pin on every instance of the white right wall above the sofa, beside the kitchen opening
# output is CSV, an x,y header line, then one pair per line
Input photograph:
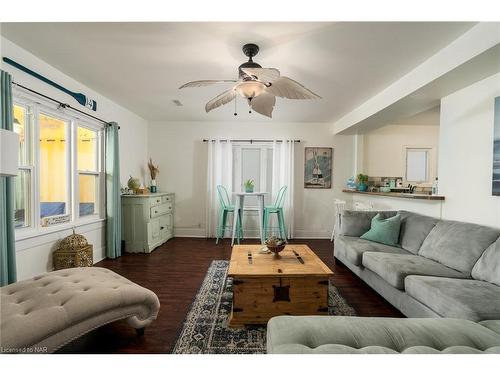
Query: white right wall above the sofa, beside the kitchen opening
x,y
466,153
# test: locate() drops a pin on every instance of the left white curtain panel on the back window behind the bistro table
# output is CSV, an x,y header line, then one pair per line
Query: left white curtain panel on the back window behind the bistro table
x,y
219,172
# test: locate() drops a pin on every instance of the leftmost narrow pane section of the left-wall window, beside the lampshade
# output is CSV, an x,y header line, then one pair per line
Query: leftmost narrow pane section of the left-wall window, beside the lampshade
x,y
23,181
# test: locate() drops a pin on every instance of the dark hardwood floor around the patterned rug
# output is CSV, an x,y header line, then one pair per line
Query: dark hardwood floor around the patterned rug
x,y
175,271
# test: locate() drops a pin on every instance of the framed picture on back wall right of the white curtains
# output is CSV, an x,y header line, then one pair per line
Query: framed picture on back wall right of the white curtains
x,y
318,163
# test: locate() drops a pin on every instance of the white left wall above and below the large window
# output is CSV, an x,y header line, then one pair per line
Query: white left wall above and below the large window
x,y
34,253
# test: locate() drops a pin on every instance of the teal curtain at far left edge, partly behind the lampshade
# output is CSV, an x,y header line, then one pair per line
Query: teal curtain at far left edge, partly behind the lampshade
x,y
7,236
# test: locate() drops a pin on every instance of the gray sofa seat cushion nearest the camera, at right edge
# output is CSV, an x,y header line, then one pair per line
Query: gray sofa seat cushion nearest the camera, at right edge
x,y
456,298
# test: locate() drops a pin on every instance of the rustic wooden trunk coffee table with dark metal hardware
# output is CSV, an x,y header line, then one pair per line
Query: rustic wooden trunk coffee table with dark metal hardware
x,y
264,286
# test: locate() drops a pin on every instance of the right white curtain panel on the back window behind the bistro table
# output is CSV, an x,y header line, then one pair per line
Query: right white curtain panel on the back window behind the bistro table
x,y
283,174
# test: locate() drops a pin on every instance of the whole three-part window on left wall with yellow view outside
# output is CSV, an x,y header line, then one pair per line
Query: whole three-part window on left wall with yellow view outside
x,y
60,167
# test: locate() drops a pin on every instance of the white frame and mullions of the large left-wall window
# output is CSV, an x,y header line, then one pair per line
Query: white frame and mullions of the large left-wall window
x,y
39,105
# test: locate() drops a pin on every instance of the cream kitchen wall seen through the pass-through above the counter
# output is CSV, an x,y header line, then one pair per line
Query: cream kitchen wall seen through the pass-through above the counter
x,y
384,153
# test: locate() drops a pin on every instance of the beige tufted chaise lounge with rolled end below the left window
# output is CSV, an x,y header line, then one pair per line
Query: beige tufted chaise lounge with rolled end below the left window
x,y
45,313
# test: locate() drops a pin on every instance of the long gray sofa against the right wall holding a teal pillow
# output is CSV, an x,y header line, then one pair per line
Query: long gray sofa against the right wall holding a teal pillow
x,y
441,268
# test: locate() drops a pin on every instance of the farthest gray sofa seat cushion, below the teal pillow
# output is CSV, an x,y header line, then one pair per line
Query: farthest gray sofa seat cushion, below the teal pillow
x,y
352,248
